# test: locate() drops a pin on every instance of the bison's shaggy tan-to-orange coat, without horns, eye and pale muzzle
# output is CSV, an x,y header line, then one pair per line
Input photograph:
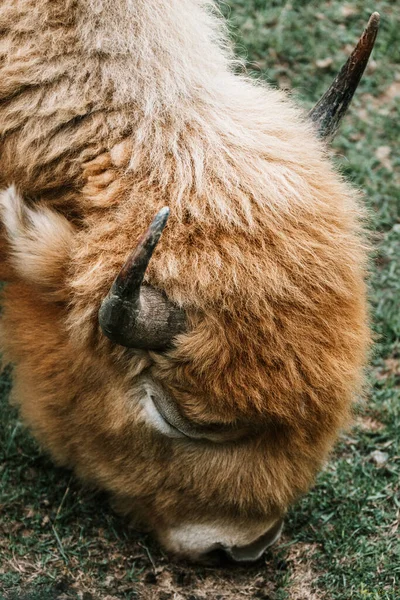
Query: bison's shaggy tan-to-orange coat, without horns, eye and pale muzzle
x,y
109,111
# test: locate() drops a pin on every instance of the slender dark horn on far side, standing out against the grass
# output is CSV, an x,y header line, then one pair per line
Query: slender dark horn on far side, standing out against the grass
x,y
333,105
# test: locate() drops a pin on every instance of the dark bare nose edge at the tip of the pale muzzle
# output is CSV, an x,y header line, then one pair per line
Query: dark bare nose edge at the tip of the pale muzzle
x,y
248,553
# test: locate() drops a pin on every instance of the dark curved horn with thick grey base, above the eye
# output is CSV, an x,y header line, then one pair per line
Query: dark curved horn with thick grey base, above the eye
x,y
136,315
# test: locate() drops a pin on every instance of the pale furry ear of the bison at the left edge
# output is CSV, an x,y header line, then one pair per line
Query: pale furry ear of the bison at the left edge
x,y
38,242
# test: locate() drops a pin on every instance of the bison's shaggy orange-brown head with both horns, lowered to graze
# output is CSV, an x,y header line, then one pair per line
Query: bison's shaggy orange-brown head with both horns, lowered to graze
x,y
203,387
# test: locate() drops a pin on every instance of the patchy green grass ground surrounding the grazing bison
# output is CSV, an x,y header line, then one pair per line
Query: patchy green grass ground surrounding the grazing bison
x,y
342,540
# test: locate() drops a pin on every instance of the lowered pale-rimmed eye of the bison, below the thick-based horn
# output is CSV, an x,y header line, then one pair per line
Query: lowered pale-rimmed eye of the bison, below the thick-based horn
x,y
163,414
